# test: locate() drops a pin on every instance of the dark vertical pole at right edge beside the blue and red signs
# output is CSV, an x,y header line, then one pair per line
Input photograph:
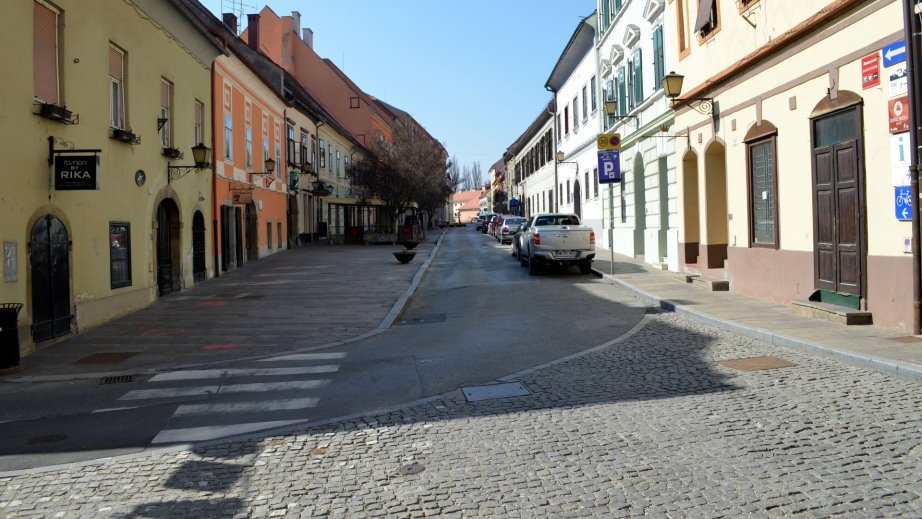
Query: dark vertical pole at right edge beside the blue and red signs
x,y
912,29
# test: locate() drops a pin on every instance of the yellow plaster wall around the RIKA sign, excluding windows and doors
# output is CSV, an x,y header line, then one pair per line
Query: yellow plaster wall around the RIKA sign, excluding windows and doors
x,y
153,51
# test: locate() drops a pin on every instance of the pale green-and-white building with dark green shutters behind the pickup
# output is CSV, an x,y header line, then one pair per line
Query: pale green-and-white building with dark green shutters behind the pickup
x,y
642,209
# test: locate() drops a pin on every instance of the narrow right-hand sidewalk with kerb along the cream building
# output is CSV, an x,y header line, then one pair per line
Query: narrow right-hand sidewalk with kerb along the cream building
x,y
877,347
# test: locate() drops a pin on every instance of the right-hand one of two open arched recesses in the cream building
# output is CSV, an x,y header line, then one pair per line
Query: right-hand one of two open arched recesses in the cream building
x,y
717,227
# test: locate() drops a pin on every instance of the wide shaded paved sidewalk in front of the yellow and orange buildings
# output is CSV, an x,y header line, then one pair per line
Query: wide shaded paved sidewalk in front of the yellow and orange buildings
x,y
321,295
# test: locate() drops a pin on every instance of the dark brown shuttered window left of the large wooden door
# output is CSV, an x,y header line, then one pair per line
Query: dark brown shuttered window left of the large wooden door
x,y
762,192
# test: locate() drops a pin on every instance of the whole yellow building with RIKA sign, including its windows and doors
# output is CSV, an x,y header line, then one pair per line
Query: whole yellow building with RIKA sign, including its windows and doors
x,y
92,222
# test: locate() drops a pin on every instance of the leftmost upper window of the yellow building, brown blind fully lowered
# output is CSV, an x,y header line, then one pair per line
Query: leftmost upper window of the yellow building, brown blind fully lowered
x,y
45,70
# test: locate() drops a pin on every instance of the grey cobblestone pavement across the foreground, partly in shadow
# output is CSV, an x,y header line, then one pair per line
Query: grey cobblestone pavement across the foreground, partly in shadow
x,y
651,426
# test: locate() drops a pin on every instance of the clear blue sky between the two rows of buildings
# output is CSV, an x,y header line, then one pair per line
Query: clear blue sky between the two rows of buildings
x,y
471,72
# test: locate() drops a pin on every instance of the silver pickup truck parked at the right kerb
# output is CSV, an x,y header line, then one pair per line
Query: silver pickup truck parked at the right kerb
x,y
556,239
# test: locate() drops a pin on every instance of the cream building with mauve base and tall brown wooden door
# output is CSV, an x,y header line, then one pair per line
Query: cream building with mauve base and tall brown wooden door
x,y
789,169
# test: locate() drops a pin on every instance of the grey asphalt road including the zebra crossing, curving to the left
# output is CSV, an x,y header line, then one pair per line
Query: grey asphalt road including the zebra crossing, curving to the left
x,y
477,316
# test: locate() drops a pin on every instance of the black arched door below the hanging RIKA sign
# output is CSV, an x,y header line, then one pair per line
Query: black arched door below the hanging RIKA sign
x,y
49,259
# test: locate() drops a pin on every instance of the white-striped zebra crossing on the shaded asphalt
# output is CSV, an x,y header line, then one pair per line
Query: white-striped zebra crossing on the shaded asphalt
x,y
269,393
